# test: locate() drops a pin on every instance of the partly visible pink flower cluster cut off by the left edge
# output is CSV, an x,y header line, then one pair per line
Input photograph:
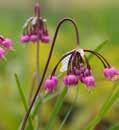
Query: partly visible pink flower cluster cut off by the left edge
x,y
6,44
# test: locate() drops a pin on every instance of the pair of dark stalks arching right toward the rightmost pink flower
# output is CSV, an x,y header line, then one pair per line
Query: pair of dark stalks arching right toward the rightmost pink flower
x,y
102,59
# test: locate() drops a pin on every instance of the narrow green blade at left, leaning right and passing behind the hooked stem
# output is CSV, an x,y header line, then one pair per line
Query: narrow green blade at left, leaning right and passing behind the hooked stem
x,y
23,100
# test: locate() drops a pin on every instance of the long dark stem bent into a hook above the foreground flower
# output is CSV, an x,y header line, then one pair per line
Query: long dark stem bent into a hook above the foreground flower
x,y
47,64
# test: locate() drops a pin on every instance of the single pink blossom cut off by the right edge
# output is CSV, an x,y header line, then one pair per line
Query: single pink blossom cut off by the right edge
x,y
111,73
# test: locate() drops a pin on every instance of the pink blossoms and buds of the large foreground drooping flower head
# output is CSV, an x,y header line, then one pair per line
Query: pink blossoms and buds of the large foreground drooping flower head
x,y
78,71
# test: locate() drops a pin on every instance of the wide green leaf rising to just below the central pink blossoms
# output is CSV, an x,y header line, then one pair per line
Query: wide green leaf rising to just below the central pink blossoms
x,y
56,109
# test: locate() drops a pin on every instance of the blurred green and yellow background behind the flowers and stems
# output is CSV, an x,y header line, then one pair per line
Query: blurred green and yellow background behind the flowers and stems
x,y
98,20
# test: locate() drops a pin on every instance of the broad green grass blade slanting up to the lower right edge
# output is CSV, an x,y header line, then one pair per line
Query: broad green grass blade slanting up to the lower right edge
x,y
105,108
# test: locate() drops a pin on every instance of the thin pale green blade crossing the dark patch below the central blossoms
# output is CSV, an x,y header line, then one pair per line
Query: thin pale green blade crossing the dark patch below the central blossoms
x,y
70,109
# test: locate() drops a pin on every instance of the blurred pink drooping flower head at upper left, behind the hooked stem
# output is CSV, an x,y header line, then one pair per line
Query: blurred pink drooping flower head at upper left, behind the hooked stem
x,y
35,28
